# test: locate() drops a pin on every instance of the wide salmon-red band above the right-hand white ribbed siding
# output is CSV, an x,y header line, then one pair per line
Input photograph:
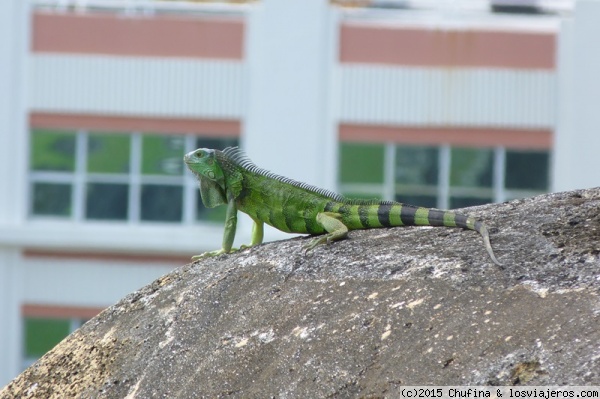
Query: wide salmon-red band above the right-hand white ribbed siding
x,y
447,48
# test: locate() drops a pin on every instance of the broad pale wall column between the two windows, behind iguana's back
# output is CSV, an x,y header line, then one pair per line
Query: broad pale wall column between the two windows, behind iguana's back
x,y
289,126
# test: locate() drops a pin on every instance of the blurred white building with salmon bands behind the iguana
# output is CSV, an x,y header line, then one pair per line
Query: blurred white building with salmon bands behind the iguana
x,y
442,104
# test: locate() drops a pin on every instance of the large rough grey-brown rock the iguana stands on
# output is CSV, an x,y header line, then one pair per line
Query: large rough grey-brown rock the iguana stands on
x,y
359,318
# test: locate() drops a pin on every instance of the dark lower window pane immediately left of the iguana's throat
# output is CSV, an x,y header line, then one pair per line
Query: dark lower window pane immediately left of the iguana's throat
x,y
161,203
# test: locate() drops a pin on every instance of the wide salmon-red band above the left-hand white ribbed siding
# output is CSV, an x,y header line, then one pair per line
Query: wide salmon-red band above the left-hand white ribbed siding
x,y
158,35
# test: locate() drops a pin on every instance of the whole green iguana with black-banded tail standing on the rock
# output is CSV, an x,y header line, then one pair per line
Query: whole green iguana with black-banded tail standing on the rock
x,y
230,177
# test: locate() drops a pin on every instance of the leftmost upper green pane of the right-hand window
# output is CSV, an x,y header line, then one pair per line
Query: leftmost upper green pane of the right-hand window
x,y
361,163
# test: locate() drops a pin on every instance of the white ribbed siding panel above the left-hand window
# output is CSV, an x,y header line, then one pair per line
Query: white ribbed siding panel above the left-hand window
x,y
174,87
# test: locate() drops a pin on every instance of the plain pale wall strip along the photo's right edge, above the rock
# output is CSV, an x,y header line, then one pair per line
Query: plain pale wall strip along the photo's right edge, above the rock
x,y
577,141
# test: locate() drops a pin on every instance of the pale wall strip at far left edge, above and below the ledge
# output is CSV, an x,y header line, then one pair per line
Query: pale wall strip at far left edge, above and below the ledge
x,y
14,40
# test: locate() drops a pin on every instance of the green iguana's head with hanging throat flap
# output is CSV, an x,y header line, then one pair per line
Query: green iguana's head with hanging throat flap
x,y
203,163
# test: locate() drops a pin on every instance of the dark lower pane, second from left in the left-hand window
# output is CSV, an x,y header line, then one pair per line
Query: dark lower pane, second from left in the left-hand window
x,y
107,201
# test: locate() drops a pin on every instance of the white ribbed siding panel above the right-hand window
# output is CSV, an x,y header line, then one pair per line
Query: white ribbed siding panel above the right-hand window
x,y
447,96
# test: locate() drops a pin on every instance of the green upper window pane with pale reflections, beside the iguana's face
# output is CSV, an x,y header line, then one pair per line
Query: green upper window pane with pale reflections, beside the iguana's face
x,y
162,155
